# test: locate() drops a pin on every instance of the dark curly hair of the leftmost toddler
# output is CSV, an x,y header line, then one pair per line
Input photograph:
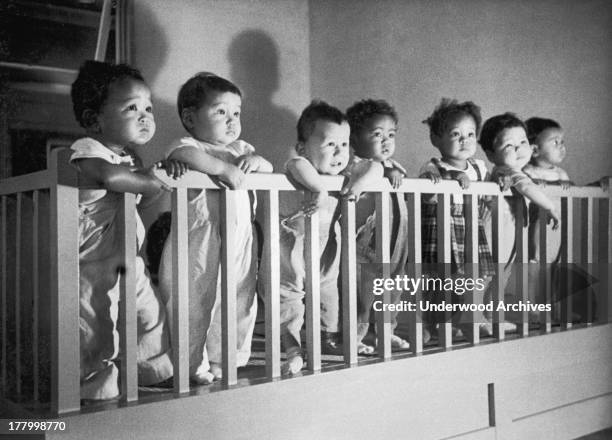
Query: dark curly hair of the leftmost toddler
x,y
90,89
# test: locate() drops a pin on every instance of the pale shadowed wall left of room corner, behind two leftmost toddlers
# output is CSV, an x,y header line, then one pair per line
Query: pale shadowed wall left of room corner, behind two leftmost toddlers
x,y
260,45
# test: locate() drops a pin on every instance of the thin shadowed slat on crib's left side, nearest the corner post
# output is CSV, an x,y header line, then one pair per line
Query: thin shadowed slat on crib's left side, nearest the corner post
x,y
35,292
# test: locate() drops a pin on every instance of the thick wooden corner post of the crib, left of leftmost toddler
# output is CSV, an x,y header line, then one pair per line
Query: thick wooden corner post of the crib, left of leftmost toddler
x,y
64,258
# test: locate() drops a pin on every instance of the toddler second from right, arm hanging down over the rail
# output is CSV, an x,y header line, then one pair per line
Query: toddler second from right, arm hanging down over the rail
x,y
504,140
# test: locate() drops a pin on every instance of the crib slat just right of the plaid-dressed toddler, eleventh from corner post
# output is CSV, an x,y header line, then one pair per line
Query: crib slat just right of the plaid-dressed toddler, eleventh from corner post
x,y
497,230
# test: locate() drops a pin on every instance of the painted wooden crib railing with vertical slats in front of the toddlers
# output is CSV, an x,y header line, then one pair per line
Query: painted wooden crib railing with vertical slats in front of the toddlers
x,y
591,216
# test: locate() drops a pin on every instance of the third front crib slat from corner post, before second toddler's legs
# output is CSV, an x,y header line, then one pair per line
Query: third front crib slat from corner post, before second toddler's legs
x,y
228,288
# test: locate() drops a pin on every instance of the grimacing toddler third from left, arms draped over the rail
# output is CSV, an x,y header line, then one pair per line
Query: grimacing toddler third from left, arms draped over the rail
x,y
323,149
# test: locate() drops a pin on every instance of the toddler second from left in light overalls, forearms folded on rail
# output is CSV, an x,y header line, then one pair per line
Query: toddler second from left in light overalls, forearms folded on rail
x,y
209,108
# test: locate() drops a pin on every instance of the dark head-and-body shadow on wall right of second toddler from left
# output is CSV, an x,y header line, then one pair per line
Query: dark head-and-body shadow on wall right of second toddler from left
x,y
254,63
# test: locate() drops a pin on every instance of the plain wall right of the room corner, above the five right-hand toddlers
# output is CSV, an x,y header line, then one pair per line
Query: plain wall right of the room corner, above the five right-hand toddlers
x,y
548,58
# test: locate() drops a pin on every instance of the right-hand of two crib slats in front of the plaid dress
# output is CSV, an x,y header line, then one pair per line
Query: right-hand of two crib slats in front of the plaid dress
x,y
470,206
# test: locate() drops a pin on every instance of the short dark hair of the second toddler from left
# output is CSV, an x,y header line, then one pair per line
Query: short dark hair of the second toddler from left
x,y
197,89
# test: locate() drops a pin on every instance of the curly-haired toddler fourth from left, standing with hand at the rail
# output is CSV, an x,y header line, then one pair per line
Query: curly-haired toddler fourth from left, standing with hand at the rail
x,y
373,129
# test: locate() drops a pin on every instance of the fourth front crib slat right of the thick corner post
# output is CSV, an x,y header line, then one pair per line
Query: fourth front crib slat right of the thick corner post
x,y
271,275
